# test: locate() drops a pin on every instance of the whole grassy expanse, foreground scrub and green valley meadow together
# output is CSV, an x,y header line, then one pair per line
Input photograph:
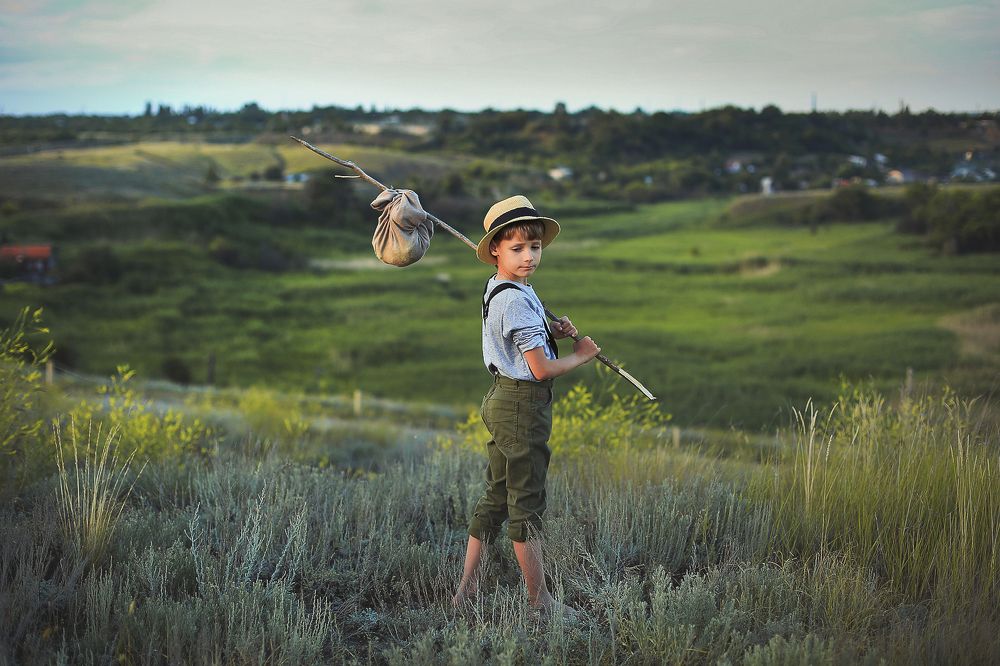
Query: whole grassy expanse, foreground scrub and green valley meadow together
x,y
275,523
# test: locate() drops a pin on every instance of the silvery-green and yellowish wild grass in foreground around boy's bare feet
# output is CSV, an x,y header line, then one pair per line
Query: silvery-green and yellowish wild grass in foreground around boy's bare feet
x,y
870,536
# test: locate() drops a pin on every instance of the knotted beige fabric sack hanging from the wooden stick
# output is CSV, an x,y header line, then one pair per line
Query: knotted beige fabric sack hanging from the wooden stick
x,y
404,231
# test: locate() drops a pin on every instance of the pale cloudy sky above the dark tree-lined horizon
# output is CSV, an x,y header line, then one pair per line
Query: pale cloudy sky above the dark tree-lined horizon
x,y
112,56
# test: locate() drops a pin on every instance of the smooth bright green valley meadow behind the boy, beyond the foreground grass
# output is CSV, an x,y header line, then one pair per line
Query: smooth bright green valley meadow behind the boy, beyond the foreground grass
x,y
728,325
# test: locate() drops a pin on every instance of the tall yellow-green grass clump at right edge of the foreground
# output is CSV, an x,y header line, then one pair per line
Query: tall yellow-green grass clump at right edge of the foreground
x,y
909,491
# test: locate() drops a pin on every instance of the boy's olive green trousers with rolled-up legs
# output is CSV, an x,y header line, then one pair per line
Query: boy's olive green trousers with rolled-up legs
x,y
518,415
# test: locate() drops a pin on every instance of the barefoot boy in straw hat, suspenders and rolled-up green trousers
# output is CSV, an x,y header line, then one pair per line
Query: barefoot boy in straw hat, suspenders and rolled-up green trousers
x,y
520,350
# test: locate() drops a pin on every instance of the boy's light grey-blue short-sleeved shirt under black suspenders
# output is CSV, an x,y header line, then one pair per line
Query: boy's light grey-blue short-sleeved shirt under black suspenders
x,y
516,324
